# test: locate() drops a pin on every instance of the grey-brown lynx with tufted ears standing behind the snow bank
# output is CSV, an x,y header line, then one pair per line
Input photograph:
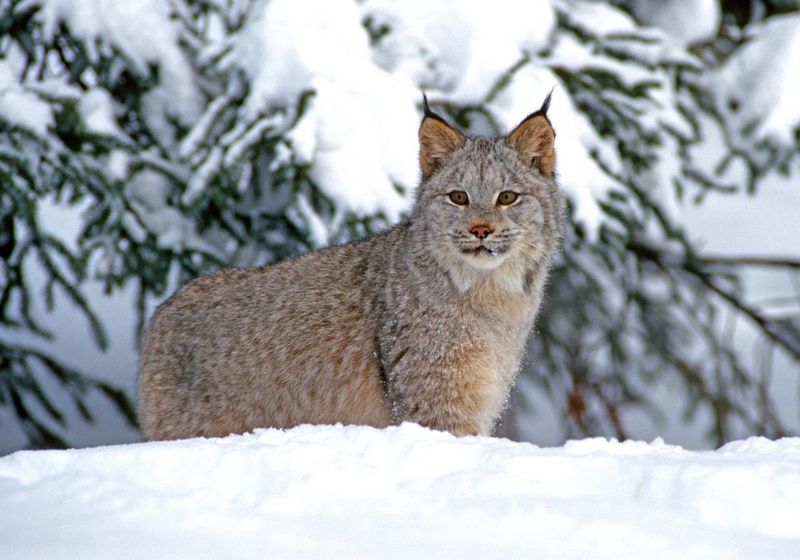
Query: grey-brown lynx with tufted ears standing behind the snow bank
x,y
425,322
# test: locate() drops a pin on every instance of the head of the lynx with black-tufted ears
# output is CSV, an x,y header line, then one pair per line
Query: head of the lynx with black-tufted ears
x,y
489,205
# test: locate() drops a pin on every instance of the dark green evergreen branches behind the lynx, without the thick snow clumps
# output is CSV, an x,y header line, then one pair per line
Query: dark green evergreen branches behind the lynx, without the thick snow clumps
x,y
182,166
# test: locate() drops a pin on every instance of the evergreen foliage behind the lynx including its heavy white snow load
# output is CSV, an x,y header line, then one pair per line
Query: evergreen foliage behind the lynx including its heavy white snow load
x,y
195,134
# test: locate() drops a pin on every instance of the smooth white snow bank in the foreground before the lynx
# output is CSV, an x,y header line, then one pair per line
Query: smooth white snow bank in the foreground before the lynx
x,y
404,492
